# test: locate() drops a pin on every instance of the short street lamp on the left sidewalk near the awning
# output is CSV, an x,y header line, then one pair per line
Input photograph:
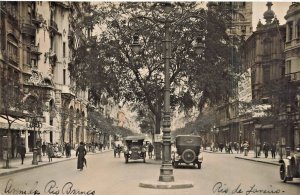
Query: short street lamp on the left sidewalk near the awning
x,y
34,121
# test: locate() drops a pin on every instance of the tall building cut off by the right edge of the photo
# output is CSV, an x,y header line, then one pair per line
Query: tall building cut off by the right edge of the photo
x,y
292,73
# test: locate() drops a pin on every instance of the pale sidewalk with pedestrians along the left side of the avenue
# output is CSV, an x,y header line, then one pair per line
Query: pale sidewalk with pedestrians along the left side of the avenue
x,y
16,166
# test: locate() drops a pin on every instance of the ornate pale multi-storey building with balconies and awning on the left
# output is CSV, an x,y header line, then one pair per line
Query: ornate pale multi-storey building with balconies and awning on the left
x,y
35,51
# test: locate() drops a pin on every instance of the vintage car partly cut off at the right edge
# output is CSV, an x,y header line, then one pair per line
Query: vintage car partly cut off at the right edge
x,y
290,167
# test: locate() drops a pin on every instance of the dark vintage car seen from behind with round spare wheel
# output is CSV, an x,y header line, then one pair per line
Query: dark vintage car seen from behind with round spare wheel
x,y
187,151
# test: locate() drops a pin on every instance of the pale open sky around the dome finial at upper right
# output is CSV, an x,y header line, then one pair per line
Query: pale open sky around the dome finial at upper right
x,y
258,8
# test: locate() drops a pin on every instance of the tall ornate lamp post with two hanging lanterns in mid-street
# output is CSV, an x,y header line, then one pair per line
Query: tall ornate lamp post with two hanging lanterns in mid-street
x,y
166,170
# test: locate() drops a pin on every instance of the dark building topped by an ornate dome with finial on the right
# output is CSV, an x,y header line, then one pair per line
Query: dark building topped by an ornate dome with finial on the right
x,y
263,54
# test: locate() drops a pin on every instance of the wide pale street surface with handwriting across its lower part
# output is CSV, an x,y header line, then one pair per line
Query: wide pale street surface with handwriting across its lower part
x,y
220,174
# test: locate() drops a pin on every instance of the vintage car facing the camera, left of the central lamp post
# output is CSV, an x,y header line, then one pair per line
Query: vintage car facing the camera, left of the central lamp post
x,y
134,149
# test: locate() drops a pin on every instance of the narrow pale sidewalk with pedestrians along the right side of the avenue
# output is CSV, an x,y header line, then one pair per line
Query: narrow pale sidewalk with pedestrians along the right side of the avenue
x,y
250,157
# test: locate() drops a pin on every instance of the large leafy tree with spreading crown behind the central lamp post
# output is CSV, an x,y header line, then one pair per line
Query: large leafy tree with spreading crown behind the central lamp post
x,y
107,63
